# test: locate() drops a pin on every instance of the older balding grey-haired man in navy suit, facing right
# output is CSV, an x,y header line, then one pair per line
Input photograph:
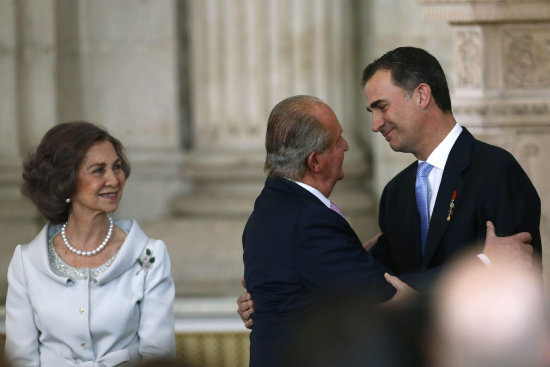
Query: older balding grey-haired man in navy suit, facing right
x,y
298,250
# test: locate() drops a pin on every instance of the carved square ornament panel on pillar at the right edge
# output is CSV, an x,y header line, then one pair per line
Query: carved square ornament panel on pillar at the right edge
x,y
526,58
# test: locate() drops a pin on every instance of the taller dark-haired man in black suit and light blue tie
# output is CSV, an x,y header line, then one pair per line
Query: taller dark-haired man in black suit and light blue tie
x,y
469,182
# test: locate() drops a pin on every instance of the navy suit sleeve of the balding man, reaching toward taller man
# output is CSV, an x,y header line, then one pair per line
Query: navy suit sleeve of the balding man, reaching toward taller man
x,y
331,259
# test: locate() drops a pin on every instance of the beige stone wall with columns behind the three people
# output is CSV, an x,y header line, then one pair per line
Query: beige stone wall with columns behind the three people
x,y
116,63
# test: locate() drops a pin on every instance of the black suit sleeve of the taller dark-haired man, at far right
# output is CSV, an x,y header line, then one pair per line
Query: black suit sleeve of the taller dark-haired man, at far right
x,y
512,203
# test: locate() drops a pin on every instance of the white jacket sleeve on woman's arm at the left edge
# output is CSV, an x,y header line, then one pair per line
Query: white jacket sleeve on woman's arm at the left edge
x,y
21,331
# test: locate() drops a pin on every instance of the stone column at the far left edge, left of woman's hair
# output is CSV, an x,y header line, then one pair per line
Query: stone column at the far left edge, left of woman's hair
x,y
28,103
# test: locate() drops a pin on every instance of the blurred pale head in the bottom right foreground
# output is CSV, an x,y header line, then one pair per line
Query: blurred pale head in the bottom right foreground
x,y
490,316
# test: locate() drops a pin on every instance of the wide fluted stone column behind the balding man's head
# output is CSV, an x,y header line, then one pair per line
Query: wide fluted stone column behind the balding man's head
x,y
247,56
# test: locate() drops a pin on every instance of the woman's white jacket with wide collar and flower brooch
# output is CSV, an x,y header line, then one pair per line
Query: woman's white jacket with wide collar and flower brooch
x,y
116,318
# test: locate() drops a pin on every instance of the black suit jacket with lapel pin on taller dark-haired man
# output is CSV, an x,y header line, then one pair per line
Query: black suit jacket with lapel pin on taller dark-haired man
x,y
489,185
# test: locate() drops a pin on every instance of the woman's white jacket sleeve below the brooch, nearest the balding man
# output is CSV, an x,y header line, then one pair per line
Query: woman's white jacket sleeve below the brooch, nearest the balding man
x,y
156,327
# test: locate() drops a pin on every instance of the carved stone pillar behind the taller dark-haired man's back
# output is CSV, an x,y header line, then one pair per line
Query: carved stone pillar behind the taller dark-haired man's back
x,y
501,76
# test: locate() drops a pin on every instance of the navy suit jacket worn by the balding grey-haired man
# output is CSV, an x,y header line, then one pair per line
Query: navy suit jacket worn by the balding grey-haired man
x,y
298,252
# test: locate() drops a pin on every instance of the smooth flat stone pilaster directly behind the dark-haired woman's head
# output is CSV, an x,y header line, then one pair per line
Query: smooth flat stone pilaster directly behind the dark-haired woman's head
x,y
118,68
